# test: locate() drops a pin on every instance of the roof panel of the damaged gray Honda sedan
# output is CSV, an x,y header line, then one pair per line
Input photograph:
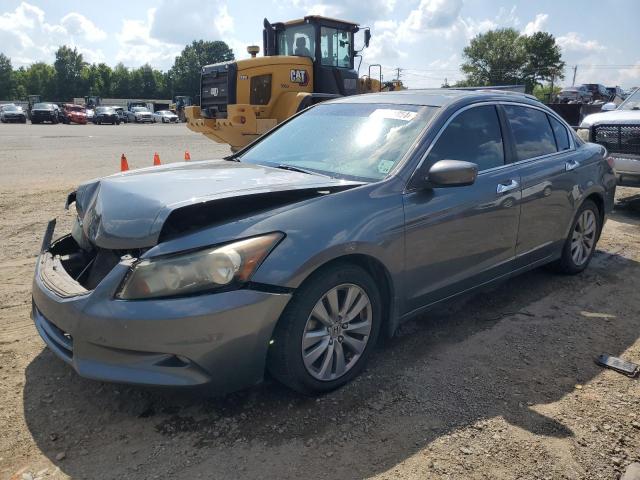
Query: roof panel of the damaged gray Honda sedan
x,y
435,97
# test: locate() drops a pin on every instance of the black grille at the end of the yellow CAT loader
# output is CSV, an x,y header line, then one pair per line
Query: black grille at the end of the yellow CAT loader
x,y
217,89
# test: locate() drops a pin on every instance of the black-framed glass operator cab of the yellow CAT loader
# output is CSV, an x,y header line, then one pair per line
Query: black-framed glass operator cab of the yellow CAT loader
x,y
329,43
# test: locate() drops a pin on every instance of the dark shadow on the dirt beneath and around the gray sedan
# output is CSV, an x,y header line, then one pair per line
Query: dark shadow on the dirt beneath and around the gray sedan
x,y
506,352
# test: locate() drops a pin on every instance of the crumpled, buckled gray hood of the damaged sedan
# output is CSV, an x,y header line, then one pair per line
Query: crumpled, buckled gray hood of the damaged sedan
x,y
128,210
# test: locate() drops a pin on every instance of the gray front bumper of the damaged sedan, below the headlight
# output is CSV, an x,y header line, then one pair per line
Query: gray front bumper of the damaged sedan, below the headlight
x,y
219,339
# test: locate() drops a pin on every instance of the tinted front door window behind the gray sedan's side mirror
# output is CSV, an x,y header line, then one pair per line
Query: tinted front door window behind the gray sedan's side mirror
x,y
473,136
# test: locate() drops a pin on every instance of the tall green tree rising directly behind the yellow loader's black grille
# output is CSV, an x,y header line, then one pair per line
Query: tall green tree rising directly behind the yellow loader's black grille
x,y
185,73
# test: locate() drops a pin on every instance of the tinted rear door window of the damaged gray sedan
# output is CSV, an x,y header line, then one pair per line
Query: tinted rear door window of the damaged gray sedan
x,y
531,131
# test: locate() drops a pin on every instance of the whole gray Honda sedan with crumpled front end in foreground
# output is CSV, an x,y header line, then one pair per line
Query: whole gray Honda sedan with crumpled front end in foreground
x,y
295,254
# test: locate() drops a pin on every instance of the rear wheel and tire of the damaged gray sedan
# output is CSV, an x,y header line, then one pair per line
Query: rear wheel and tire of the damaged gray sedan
x,y
587,219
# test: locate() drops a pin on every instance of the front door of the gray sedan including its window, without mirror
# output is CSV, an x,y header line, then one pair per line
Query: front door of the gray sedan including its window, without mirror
x,y
459,237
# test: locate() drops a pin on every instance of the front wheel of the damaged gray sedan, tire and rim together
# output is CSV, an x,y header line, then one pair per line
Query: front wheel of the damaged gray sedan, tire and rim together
x,y
299,320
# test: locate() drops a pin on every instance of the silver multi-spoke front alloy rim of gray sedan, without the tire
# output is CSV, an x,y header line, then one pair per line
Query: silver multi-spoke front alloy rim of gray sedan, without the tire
x,y
337,332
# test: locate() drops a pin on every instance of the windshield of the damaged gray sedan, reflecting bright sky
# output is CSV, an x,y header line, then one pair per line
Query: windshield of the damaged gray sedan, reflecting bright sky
x,y
352,141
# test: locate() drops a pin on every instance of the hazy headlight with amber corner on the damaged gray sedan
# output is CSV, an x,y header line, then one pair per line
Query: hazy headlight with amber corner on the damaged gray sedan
x,y
202,270
